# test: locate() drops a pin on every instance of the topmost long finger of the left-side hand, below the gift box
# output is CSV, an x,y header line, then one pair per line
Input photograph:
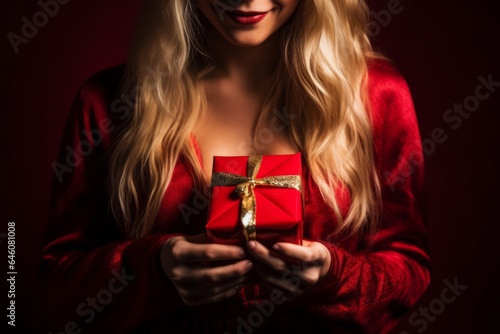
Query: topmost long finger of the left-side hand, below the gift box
x,y
186,251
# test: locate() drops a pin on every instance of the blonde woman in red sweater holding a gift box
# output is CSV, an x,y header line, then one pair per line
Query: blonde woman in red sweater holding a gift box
x,y
206,78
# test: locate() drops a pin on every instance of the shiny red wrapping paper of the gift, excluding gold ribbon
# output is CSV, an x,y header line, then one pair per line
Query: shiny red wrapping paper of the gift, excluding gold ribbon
x,y
279,211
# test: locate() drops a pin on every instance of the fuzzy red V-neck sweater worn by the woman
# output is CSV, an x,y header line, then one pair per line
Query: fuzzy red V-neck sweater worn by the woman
x,y
98,281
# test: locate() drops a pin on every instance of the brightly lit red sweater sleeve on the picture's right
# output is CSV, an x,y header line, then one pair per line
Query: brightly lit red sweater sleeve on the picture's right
x,y
370,289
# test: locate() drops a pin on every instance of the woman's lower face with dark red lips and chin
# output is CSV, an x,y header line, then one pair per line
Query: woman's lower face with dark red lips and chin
x,y
247,23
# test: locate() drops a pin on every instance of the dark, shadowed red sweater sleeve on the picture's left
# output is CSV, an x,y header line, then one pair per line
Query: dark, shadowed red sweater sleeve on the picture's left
x,y
93,277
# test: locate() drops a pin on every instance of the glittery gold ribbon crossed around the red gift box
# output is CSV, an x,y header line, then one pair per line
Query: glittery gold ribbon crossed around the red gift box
x,y
245,189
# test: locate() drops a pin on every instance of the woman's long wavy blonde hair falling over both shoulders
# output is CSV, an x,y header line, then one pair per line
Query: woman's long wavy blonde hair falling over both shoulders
x,y
322,78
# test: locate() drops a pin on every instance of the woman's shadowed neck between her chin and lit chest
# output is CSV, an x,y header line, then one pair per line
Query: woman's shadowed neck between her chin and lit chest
x,y
247,66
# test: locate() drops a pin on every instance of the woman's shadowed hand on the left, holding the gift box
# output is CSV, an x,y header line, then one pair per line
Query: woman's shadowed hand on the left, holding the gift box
x,y
181,259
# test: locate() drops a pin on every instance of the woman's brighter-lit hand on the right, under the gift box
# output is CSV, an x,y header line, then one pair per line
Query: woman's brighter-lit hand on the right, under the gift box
x,y
308,264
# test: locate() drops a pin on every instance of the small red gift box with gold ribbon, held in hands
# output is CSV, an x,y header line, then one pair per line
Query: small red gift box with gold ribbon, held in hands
x,y
256,197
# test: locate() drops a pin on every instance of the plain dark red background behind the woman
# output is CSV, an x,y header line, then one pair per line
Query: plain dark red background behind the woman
x,y
441,47
